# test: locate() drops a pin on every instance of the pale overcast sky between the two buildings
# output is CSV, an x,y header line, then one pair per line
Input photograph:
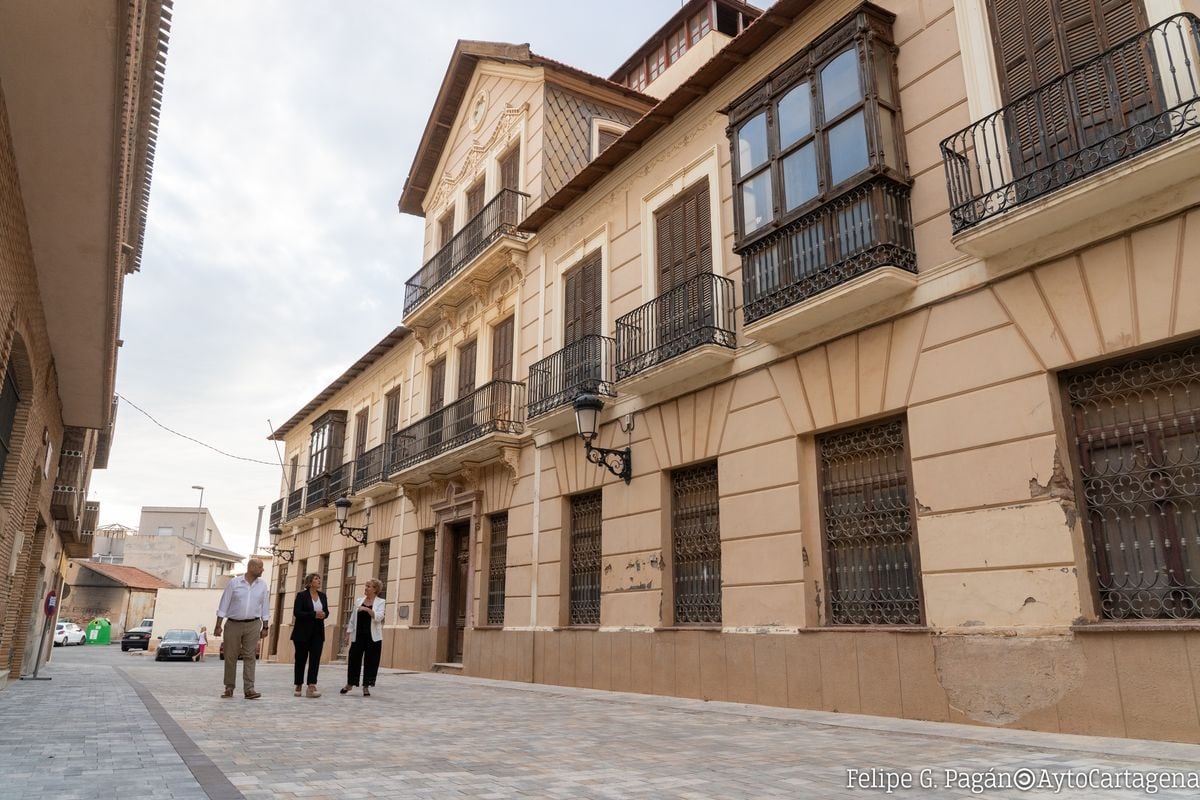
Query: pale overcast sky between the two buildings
x,y
275,256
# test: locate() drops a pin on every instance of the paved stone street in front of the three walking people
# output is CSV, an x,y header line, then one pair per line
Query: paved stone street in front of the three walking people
x,y
113,725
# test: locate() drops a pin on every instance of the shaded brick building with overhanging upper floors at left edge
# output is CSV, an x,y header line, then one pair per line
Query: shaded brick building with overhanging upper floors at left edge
x,y
75,179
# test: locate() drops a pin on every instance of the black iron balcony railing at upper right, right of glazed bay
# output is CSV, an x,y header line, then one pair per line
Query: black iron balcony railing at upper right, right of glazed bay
x,y
1130,99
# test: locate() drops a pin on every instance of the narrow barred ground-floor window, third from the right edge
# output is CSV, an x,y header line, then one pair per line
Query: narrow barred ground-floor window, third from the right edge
x,y
697,545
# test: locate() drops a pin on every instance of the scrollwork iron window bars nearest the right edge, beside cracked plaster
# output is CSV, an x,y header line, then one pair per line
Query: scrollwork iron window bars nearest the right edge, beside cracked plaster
x,y
1137,435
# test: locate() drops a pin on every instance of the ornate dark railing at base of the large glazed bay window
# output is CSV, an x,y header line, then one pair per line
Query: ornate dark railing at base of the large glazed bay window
x,y
868,227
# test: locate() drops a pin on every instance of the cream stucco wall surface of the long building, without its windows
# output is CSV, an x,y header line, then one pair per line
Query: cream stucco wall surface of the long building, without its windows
x,y
968,352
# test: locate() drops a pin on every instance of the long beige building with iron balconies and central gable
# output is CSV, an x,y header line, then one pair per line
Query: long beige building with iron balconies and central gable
x,y
897,338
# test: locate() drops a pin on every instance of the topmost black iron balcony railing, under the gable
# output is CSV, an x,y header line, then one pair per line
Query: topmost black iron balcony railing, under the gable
x,y
500,218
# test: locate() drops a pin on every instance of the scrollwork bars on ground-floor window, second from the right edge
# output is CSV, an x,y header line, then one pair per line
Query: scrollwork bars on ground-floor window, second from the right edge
x,y
867,520
